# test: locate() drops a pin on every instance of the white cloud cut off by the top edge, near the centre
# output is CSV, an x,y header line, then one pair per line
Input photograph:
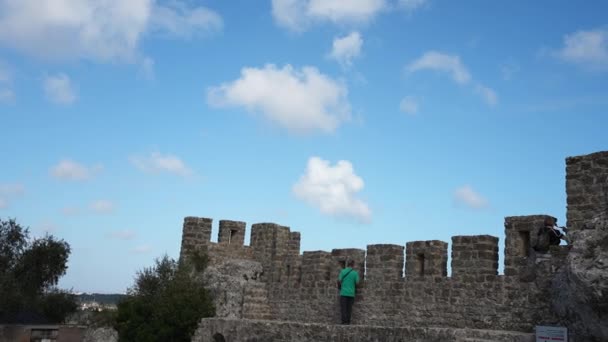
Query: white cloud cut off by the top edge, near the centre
x,y
298,15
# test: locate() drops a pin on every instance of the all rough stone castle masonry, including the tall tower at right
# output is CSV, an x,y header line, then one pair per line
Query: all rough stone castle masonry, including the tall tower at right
x,y
268,291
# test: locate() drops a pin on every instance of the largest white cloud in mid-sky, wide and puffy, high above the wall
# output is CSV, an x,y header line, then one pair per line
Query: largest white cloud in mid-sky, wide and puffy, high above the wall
x,y
302,101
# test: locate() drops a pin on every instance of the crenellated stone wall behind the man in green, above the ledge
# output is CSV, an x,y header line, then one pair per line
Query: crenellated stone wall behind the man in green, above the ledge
x,y
401,284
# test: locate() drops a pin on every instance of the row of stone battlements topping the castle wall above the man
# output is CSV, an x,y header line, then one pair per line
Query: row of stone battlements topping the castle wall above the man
x,y
277,248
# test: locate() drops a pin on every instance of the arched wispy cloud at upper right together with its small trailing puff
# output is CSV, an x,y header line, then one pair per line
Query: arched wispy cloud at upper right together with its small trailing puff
x,y
451,65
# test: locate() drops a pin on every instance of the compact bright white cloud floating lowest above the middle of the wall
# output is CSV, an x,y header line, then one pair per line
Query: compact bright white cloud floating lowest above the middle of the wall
x,y
333,189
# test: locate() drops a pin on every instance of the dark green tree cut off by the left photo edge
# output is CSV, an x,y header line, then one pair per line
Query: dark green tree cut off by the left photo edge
x,y
31,269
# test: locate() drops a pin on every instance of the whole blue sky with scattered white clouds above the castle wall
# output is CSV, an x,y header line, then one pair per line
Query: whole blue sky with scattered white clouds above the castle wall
x,y
352,121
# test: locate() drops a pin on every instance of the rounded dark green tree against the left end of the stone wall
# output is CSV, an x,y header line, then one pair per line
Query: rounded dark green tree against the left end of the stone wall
x,y
165,303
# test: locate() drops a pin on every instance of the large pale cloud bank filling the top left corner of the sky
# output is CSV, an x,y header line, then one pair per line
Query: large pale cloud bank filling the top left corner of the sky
x,y
96,30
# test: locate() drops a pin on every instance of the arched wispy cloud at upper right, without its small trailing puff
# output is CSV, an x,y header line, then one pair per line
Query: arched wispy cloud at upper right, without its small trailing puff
x,y
433,60
